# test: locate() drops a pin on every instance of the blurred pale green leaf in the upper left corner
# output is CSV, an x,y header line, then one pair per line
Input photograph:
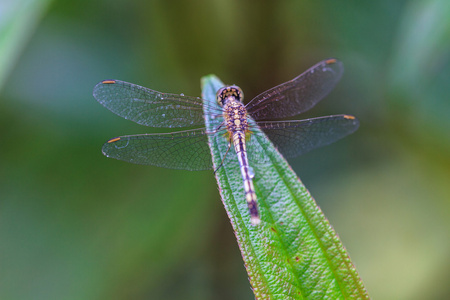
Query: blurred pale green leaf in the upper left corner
x,y
18,20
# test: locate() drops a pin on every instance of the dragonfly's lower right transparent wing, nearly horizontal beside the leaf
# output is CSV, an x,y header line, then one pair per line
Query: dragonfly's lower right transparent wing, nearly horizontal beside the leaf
x,y
293,138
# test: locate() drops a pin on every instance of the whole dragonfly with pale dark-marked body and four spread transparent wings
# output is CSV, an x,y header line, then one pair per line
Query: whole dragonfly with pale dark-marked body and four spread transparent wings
x,y
189,149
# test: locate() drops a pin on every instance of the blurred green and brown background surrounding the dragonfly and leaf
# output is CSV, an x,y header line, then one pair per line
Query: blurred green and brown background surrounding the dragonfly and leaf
x,y
76,225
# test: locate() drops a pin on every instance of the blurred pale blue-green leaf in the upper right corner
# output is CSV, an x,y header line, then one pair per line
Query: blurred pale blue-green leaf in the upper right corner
x,y
422,46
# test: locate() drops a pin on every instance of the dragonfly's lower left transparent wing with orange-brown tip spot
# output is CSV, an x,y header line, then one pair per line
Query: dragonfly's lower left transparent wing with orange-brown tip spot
x,y
187,150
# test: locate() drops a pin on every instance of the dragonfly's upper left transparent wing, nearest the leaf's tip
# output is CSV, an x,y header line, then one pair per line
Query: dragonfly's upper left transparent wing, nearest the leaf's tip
x,y
148,107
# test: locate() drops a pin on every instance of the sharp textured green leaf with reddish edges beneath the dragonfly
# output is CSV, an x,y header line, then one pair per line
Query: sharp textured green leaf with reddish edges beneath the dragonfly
x,y
294,253
